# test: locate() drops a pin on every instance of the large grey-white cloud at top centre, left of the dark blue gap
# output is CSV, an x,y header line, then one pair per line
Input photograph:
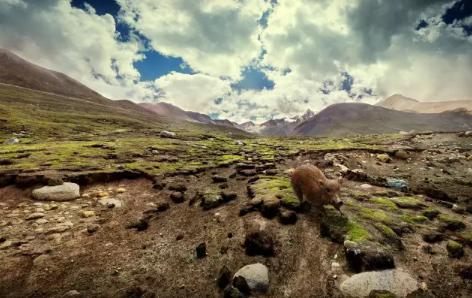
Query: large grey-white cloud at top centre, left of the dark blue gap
x,y
216,37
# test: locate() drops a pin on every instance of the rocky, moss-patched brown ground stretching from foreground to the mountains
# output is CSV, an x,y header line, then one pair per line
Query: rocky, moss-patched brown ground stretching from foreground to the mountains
x,y
175,216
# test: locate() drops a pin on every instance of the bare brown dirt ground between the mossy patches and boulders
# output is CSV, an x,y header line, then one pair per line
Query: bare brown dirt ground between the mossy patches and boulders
x,y
59,254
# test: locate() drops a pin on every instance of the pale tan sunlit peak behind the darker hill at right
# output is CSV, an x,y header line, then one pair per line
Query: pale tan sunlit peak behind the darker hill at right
x,y
402,103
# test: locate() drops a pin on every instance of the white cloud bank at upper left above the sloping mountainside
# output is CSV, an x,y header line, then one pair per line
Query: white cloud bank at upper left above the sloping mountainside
x,y
79,43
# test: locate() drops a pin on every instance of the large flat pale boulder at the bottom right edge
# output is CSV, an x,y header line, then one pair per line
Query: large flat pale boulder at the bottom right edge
x,y
395,281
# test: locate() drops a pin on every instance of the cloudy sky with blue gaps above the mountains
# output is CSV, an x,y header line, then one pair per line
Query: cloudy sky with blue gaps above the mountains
x,y
249,59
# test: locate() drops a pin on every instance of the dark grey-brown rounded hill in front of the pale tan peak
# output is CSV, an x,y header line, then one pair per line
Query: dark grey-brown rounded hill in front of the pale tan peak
x,y
354,118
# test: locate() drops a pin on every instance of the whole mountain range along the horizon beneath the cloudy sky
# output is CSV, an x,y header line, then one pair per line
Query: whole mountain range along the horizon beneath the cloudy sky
x,y
392,115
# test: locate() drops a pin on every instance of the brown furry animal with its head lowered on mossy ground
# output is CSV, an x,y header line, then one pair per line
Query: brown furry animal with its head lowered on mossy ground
x,y
309,183
